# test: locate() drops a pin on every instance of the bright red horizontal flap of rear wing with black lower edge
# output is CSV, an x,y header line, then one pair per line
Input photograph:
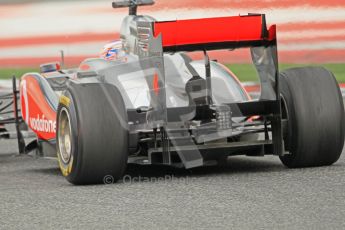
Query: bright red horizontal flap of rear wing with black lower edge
x,y
214,33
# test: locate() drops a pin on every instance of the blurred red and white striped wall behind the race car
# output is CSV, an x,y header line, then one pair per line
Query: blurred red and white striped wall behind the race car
x,y
34,32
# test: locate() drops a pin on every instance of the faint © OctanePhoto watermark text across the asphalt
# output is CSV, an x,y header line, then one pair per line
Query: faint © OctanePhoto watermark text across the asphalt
x,y
128,179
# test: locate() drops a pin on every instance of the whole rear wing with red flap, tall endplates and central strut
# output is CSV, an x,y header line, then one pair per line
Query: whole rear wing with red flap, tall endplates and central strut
x,y
153,39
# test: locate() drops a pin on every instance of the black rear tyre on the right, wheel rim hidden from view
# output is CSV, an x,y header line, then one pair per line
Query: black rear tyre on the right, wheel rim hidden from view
x,y
315,112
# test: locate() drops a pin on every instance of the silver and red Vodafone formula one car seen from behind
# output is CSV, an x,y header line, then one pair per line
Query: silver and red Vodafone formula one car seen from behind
x,y
147,102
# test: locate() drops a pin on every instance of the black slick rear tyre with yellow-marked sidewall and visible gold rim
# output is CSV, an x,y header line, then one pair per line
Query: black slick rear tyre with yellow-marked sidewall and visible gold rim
x,y
92,134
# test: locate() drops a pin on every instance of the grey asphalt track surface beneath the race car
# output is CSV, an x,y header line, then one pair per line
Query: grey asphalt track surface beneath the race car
x,y
247,193
